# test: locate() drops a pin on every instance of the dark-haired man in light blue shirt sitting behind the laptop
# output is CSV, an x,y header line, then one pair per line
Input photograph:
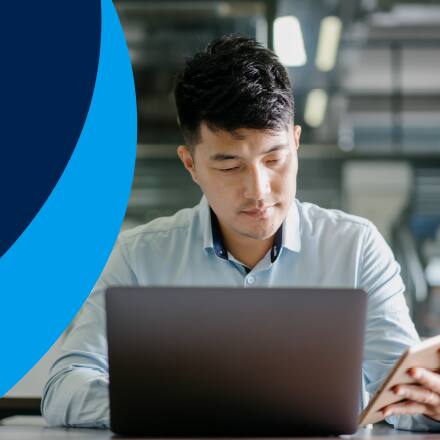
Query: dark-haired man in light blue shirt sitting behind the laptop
x,y
235,109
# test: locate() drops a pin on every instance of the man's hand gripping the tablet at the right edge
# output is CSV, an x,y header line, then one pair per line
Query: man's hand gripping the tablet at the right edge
x,y
422,397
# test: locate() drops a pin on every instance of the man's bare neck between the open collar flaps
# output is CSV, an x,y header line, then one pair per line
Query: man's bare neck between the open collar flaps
x,y
248,251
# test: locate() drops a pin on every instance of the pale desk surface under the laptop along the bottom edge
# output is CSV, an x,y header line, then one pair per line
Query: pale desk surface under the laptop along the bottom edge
x,y
33,428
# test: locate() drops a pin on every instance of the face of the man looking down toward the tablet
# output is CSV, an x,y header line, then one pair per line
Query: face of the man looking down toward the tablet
x,y
248,177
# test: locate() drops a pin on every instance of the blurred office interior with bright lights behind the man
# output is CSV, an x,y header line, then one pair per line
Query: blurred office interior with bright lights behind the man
x,y
366,80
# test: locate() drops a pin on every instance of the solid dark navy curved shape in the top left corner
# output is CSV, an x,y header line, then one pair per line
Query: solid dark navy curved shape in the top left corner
x,y
50,55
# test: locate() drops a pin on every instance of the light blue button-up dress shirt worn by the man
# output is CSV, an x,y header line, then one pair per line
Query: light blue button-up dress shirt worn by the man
x,y
316,247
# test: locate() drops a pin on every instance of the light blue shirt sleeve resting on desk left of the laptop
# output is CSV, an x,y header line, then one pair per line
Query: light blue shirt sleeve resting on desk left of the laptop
x,y
76,393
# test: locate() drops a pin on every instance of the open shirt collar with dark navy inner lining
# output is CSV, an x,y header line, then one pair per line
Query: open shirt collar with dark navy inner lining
x,y
287,236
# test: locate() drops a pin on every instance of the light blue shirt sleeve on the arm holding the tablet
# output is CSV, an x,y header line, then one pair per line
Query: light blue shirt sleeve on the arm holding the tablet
x,y
389,328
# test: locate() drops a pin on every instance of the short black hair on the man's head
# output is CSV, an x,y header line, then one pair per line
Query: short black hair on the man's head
x,y
235,83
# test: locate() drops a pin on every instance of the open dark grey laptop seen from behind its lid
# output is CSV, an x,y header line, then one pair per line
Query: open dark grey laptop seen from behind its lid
x,y
193,362
